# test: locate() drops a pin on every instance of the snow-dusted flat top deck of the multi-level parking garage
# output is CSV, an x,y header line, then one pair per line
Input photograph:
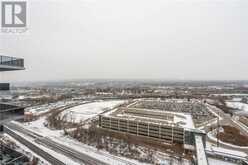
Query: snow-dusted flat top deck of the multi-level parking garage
x,y
153,116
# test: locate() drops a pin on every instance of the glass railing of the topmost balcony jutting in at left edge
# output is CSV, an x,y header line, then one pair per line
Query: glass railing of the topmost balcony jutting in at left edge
x,y
11,61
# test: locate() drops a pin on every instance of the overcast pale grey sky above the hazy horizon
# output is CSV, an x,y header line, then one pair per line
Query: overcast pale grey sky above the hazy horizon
x,y
135,39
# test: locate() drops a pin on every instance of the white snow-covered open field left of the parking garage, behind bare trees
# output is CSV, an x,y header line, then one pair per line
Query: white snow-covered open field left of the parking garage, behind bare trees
x,y
89,110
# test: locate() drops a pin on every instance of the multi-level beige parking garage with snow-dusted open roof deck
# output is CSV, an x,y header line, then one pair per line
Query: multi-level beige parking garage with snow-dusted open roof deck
x,y
166,126
